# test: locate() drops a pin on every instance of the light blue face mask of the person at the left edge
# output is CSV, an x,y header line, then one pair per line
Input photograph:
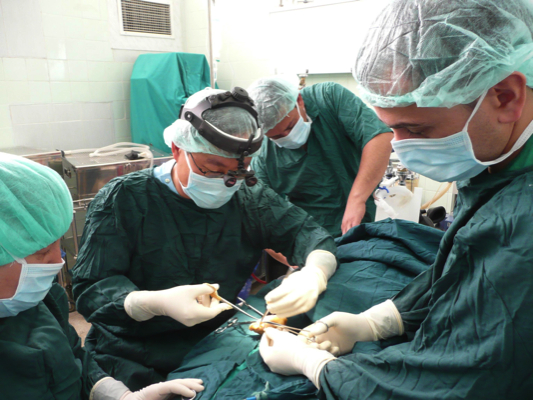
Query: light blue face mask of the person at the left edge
x,y
34,283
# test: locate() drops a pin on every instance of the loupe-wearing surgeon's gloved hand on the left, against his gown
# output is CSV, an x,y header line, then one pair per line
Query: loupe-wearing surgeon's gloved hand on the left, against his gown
x,y
186,304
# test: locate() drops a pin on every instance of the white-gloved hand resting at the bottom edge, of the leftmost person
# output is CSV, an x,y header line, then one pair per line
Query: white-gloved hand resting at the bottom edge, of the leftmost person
x,y
111,389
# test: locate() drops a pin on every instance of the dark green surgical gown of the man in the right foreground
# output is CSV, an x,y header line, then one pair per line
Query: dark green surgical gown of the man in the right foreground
x,y
469,316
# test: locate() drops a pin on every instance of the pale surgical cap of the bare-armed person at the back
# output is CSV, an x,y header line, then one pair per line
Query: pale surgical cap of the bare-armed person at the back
x,y
274,98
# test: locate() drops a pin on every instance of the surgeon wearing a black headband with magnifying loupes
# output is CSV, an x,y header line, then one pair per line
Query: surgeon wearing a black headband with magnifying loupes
x,y
153,238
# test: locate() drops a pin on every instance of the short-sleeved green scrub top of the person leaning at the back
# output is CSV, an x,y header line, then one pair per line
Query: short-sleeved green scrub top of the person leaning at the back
x,y
319,179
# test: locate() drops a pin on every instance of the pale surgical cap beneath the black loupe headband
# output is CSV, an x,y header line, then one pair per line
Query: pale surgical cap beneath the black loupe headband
x,y
233,120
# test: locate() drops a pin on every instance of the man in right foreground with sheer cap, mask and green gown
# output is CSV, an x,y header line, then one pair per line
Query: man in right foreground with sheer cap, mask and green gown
x,y
454,81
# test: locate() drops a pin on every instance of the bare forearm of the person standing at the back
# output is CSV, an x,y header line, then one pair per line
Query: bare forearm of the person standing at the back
x,y
374,162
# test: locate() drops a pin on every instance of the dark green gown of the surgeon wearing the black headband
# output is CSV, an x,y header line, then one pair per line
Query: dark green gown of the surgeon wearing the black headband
x,y
139,235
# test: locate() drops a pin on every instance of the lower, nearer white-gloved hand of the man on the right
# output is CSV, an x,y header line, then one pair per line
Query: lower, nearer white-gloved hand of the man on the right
x,y
285,354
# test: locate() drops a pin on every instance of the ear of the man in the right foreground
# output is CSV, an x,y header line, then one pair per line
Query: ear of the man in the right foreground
x,y
509,97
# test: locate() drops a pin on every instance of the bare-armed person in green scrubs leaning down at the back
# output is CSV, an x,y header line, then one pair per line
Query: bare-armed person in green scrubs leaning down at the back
x,y
326,153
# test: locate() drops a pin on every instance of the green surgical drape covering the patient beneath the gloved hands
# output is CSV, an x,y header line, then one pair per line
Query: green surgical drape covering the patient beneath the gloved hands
x,y
376,261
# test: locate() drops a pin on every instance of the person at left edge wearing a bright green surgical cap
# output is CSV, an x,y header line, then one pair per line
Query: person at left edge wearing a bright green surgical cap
x,y
41,356
